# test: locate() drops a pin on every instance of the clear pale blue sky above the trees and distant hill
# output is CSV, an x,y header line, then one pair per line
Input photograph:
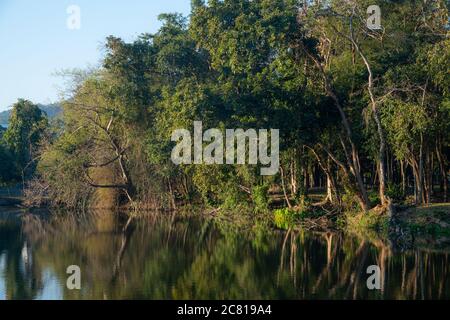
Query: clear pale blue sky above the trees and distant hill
x,y
35,40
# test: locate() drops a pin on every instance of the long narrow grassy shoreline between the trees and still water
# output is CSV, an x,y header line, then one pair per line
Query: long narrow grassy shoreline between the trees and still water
x,y
412,227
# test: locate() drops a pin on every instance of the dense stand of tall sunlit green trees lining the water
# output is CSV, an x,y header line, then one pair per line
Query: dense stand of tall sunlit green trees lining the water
x,y
362,113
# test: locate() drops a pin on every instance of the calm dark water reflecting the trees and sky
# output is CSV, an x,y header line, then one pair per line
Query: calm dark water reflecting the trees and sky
x,y
164,257
